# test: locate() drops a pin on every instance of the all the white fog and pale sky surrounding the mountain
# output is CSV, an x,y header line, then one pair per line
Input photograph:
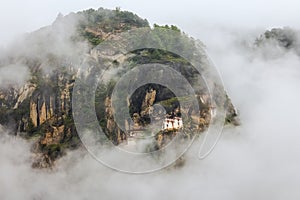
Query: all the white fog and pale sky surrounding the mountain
x,y
258,160
